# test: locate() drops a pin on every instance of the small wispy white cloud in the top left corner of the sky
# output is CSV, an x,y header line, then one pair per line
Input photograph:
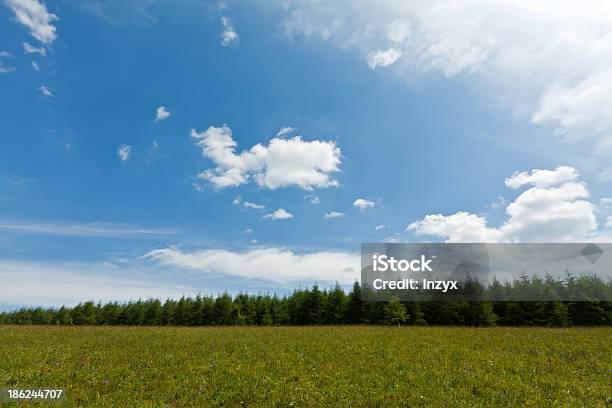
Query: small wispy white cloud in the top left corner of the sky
x,y
35,16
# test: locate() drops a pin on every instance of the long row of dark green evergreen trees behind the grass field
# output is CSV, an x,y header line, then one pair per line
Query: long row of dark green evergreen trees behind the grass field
x,y
312,306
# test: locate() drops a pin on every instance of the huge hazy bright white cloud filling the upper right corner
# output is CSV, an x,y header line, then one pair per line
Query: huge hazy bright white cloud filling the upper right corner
x,y
549,60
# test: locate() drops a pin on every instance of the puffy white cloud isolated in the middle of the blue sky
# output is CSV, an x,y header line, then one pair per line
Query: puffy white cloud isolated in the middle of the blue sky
x,y
283,163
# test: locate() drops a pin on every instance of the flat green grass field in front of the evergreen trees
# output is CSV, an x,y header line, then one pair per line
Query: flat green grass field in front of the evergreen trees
x,y
311,366
